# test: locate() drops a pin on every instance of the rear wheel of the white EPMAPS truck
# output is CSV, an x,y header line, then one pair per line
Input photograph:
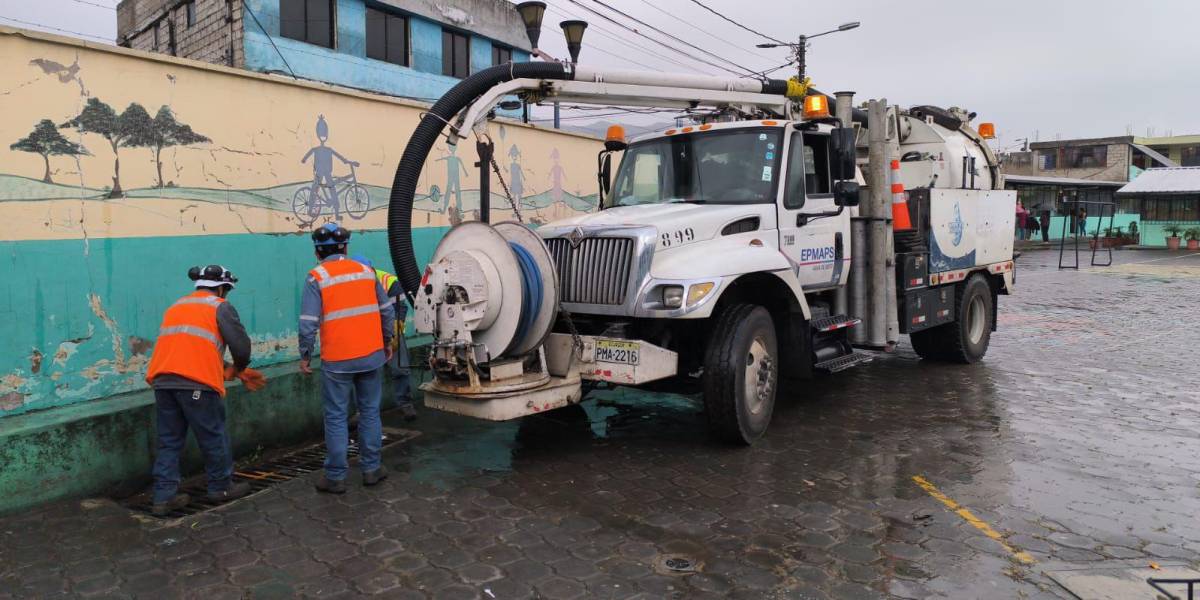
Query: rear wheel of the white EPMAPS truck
x,y
965,340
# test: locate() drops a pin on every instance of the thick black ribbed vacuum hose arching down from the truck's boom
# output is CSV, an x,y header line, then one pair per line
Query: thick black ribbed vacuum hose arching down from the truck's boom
x,y
421,145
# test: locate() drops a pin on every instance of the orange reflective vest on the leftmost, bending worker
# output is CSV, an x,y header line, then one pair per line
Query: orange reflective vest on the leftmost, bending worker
x,y
190,343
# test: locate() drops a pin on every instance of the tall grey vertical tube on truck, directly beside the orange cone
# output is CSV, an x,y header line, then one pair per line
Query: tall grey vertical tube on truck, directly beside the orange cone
x,y
880,201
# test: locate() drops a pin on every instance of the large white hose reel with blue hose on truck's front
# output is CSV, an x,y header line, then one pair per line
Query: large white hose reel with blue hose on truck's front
x,y
489,291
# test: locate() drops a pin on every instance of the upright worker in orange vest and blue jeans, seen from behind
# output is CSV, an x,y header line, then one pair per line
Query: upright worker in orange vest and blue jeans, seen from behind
x,y
349,308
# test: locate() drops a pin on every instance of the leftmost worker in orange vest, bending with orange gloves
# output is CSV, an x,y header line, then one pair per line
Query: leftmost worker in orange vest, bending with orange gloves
x,y
188,373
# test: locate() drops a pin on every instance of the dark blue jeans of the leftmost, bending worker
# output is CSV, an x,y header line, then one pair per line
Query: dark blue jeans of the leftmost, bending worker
x,y
203,412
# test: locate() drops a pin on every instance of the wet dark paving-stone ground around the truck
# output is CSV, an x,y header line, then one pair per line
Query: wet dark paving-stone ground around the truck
x,y
1073,443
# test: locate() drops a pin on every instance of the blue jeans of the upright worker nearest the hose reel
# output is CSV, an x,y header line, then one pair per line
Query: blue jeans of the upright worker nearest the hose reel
x,y
339,391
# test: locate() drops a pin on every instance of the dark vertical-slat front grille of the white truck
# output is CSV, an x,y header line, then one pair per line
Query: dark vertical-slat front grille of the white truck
x,y
596,272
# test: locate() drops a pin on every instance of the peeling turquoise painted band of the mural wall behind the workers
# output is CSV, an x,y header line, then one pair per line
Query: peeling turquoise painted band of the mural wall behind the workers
x,y
82,331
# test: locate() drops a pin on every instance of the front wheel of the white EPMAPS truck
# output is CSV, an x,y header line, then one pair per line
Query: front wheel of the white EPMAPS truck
x,y
741,374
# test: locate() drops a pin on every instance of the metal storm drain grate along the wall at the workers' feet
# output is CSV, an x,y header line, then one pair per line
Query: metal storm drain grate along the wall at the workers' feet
x,y
265,475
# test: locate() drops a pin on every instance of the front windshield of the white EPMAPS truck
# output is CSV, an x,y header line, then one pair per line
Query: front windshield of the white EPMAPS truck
x,y
719,167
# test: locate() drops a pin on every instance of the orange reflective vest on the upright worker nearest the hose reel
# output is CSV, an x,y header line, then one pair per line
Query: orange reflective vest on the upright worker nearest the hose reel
x,y
351,327
